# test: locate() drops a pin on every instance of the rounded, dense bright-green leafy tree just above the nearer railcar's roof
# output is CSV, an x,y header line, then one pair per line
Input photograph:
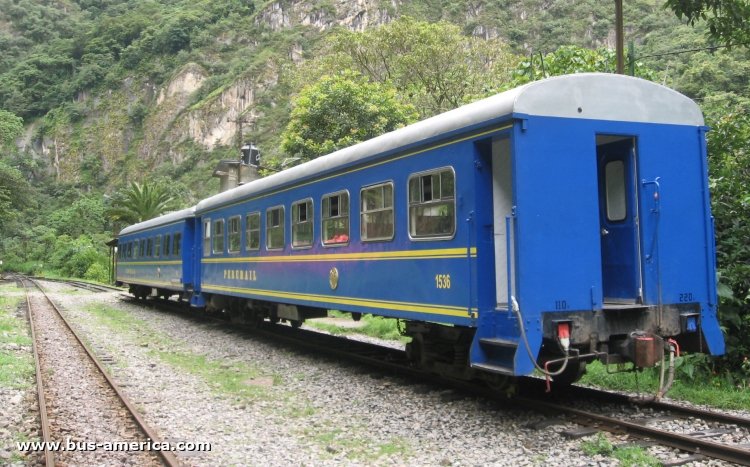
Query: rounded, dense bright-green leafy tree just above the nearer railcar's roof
x,y
341,110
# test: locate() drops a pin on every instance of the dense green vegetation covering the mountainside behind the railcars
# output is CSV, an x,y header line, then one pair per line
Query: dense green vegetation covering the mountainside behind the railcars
x,y
81,84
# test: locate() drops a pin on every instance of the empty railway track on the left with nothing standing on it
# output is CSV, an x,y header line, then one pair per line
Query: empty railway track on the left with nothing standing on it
x,y
81,407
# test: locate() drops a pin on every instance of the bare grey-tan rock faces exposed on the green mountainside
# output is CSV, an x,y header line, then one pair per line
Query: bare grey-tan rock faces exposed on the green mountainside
x,y
175,113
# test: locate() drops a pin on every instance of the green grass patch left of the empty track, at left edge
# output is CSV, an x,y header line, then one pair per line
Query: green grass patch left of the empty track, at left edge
x,y
16,368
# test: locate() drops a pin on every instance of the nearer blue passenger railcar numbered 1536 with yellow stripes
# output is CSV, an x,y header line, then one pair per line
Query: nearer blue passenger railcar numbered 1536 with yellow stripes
x,y
557,223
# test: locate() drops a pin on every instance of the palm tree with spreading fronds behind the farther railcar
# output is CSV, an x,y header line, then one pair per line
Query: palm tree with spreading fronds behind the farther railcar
x,y
141,202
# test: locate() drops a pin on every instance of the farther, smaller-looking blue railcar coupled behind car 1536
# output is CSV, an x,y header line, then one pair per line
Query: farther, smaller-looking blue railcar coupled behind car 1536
x,y
154,258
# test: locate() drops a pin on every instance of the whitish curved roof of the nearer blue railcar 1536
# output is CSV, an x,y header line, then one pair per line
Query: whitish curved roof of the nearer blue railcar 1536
x,y
595,96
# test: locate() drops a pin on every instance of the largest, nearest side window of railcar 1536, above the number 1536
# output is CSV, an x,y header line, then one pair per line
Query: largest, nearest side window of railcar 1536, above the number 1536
x,y
432,204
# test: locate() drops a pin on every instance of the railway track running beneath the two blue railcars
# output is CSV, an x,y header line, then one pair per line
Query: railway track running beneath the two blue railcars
x,y
650,421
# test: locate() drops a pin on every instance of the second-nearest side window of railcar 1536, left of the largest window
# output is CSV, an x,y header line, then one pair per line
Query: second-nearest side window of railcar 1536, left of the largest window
x,y
377,212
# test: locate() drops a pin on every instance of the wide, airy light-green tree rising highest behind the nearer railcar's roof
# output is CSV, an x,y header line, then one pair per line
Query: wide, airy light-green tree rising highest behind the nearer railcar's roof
x,y
434,66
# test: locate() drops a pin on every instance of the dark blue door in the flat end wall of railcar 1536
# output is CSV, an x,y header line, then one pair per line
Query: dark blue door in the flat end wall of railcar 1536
x,y
619,223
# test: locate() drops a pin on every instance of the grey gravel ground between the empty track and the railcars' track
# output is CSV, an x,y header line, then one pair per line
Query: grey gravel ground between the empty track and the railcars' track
x,y
295,409
